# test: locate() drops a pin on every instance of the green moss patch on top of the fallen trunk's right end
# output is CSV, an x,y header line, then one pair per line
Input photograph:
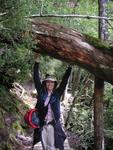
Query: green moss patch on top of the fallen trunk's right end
x,y
99,44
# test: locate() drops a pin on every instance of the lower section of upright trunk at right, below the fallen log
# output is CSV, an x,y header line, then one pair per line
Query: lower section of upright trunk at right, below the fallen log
x,y
98,114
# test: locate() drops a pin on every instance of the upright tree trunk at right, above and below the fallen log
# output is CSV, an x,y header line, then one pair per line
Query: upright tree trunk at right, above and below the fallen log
x,y
99,87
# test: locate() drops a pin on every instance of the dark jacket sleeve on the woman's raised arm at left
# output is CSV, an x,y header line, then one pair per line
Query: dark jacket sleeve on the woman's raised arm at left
x,y
37,81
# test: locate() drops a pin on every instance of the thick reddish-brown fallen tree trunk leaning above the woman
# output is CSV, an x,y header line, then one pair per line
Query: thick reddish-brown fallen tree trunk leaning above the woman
x,y
73,47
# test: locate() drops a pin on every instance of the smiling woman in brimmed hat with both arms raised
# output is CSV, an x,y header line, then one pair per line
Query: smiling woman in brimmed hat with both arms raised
x,y
50,133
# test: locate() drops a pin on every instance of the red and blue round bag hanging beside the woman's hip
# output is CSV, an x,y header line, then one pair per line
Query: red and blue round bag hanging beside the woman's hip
x,y
32,119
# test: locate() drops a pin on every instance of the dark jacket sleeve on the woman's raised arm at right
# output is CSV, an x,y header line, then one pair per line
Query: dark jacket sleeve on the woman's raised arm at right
x,y
64,81
